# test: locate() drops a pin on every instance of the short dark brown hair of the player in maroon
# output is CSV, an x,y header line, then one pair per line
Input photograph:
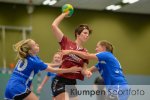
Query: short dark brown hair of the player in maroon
x,y
80,28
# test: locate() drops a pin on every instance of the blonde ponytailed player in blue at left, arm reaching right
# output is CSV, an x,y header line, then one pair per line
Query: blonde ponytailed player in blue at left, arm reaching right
x,y
29,64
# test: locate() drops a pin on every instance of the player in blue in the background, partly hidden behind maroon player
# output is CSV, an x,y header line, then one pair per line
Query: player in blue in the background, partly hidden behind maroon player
x,y
56,62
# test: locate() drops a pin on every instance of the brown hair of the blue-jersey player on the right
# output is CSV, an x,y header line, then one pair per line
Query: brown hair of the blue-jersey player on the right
x,y
108,45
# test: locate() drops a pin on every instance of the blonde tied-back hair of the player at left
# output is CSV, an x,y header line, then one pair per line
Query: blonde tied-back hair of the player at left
x,y
22,48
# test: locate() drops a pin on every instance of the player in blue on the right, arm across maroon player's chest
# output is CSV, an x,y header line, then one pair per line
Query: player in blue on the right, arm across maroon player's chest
x,y
109,68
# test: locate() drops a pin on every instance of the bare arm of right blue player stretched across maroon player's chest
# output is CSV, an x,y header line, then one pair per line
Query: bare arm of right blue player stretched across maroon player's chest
x,y
84,55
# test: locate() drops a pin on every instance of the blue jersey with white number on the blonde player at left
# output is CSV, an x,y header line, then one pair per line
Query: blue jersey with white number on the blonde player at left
x,y
22,75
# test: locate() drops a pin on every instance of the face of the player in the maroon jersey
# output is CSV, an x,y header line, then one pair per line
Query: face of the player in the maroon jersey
x,y
84,36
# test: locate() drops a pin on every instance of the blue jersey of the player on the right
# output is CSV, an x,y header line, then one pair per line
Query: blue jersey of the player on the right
x,y
110,69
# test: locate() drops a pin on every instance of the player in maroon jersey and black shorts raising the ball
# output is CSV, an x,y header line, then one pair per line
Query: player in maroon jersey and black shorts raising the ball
x,y
82,33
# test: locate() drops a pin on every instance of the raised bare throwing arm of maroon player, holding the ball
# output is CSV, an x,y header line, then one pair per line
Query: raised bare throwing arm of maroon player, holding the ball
x,y
56,30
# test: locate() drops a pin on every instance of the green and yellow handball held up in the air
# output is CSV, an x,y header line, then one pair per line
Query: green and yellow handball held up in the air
x,y
68,7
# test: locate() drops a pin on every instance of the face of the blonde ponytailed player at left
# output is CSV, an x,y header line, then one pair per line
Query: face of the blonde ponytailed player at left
x,y
34,47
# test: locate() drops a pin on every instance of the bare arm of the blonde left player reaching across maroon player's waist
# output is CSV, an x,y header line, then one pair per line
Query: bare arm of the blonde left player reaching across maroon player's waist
x,y
74,69
